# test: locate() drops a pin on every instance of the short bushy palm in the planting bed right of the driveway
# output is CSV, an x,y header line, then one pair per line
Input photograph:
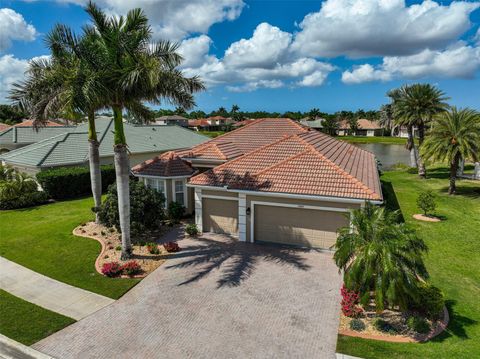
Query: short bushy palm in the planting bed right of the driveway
x,y
380,255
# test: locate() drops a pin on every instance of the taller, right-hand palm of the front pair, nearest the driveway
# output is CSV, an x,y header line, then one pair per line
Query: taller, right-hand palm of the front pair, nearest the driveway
x,y
133,69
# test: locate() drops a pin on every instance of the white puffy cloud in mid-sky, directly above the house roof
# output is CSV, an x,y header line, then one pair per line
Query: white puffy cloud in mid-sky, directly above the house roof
x,y
263,61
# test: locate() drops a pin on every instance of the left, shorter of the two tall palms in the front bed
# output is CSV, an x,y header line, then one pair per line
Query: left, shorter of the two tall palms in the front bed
x,y
62,85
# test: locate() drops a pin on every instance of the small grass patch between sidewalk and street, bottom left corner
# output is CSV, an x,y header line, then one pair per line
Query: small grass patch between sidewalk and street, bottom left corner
x,y
27,323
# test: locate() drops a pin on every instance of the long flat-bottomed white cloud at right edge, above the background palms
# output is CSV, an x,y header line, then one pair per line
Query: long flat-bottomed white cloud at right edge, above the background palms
x,y
459,61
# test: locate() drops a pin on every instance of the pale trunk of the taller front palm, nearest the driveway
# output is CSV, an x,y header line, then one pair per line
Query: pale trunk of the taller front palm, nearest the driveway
x,y
122,171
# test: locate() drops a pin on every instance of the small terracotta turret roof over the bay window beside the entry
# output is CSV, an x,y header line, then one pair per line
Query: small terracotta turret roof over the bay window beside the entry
x,y
168,164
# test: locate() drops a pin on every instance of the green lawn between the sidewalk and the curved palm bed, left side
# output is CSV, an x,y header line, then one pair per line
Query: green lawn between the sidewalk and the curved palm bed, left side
x,y
40,238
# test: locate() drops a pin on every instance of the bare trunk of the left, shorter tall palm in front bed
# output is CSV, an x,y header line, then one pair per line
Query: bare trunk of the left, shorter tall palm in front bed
x,y
94,162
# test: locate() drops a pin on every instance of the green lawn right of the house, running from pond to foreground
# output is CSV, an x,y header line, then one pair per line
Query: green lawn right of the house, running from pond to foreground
x,y
453,262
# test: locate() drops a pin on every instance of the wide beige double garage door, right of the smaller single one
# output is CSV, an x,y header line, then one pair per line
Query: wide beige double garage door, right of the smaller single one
x,y
297,226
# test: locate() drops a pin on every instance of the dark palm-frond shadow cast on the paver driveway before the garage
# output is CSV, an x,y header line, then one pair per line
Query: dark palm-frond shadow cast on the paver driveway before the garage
x,y
235,260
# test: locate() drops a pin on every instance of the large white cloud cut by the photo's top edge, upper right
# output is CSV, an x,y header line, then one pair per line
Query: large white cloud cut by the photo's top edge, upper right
x,y
360,28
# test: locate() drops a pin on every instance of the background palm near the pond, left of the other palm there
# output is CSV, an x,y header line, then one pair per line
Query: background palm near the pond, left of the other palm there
x,y
415,105
